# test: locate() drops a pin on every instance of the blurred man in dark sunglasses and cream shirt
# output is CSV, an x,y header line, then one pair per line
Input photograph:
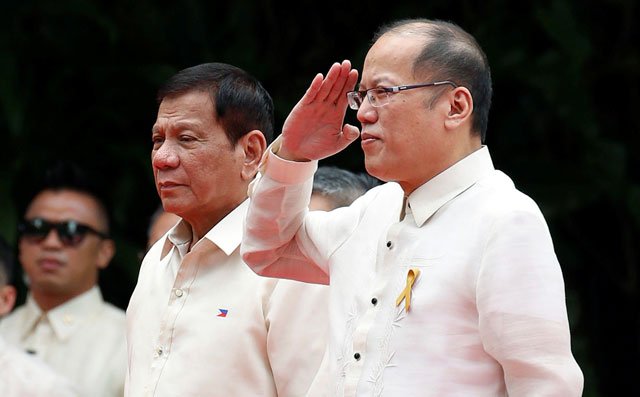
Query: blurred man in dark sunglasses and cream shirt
x,y
63,243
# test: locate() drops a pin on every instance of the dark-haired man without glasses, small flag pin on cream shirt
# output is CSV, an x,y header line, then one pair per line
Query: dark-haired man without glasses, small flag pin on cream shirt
x,y
200,322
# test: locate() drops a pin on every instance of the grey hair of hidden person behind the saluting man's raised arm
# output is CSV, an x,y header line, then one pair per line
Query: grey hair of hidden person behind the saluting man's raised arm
x,y
340,186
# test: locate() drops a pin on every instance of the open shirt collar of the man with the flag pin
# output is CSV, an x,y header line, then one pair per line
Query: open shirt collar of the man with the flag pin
x,y
226,234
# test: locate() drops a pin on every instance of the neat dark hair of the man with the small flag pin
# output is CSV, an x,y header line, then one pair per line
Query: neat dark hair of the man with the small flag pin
x,y
240,102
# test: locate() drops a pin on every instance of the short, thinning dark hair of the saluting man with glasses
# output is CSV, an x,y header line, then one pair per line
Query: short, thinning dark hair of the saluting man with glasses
x,y
450,53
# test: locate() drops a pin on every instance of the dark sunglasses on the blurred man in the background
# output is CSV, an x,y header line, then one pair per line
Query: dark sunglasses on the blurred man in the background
x,y
70,233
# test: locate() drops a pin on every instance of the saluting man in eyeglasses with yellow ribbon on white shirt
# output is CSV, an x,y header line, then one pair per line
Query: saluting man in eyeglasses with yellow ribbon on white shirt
x,y
444,280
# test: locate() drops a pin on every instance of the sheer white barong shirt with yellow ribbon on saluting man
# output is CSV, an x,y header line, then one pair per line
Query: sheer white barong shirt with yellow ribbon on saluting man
x,y
487,314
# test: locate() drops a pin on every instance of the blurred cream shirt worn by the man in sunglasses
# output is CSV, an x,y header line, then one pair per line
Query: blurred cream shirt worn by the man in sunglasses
x,y
83,339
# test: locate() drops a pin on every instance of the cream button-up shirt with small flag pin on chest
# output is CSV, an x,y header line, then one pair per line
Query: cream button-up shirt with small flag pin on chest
x,y
201,323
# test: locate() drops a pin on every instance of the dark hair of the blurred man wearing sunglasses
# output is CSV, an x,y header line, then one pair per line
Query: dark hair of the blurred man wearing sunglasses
x,y
76,177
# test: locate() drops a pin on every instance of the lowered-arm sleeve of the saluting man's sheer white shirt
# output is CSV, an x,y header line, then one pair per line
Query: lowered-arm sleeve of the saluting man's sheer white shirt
x,y
522,310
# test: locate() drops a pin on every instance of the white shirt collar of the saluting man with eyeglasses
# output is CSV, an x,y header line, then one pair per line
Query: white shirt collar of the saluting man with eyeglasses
x,y
431,196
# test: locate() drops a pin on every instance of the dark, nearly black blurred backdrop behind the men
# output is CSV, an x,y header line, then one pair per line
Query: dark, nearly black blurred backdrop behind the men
x,y
78,80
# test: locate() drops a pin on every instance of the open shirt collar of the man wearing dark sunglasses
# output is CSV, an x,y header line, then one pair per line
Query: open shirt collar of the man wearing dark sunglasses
x,y
64,319
